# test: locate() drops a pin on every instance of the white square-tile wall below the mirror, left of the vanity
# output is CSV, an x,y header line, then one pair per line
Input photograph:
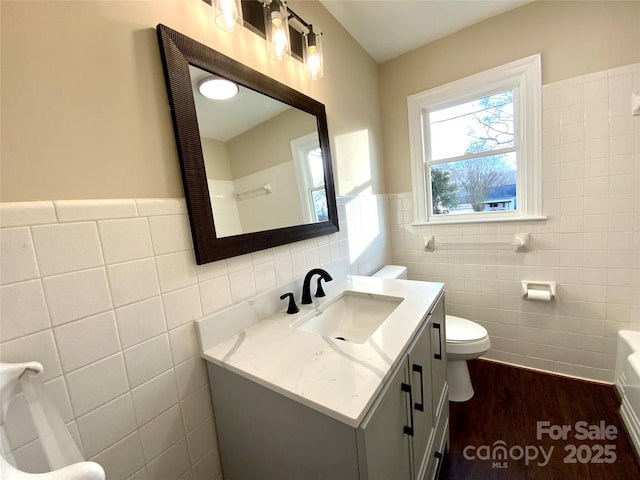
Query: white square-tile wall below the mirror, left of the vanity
x,y
105,293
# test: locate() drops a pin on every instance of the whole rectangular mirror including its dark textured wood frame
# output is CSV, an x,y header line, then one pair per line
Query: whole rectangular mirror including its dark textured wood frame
x,y
266,184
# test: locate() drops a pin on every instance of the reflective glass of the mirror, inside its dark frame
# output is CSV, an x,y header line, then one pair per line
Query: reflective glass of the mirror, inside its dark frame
x,y
263,161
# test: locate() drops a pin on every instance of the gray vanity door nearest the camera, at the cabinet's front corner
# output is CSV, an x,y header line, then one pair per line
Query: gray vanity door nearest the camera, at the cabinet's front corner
x,y
383,445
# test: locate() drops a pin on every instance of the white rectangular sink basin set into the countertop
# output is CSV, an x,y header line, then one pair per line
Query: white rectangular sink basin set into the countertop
x,y
352,316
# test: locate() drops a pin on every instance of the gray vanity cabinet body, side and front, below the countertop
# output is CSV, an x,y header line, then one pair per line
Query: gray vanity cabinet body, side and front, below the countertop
x,y
266,435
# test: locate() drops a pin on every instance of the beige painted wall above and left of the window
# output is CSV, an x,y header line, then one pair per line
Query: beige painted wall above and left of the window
x,y
574,38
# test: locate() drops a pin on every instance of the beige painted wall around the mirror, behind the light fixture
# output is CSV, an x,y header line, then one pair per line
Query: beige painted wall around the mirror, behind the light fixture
x,y
84,104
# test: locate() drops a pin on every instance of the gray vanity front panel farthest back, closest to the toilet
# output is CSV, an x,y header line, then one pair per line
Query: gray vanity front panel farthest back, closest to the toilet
x,y
439,357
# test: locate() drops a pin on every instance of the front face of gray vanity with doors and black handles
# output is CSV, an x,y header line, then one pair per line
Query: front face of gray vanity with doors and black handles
x,y
405,434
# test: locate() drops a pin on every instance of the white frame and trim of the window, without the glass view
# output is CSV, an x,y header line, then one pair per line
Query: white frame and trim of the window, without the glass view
x,y
524,78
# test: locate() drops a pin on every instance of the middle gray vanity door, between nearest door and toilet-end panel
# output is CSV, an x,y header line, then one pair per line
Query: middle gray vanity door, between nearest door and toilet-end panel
x,y
422,408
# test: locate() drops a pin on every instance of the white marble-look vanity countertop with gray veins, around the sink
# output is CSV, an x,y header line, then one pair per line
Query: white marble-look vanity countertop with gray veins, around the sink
x,y
338,378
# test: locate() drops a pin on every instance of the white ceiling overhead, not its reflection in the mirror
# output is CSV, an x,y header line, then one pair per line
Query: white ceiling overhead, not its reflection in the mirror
x,y
388,28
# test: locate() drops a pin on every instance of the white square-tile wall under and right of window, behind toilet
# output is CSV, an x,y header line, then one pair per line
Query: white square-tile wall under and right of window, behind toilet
x,y
590,243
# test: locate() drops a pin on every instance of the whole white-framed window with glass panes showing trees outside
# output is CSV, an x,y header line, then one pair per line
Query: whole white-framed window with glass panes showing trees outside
x,y
475,147
